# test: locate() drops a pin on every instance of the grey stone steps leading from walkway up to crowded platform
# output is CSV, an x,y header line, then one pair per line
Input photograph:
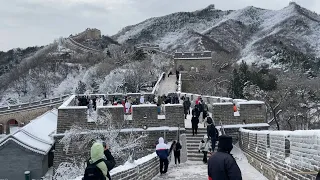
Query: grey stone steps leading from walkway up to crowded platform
x,y
193,144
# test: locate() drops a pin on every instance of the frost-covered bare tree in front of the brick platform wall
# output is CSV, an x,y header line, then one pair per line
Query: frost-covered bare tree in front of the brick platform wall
x,y
104,128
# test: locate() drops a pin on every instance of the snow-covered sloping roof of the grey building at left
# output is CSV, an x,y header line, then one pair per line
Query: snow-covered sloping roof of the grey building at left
x,y
37,135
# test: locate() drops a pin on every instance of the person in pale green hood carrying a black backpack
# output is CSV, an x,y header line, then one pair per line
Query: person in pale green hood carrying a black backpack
x,y
96,167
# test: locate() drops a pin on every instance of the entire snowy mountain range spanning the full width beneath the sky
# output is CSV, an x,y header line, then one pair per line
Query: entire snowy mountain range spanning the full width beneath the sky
x,y
286,38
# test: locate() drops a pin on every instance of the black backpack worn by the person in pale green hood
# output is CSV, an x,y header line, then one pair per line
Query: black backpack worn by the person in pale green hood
x,y
92,172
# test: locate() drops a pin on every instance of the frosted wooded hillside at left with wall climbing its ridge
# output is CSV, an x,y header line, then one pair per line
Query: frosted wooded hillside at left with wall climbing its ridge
x,y
69,65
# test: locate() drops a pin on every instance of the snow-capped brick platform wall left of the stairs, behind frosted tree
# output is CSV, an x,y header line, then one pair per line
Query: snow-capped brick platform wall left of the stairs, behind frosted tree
x,y
144,119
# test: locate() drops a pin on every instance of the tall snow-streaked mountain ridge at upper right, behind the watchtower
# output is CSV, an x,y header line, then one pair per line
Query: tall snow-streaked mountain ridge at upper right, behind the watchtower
x,y
255,35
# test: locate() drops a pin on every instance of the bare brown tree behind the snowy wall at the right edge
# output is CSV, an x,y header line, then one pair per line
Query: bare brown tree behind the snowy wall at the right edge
x,y
293,104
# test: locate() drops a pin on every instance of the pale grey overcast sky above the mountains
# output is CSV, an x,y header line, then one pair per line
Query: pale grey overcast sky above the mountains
x,y
26,23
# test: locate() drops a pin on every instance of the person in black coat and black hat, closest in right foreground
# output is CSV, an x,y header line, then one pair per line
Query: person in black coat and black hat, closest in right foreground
x,y
222,165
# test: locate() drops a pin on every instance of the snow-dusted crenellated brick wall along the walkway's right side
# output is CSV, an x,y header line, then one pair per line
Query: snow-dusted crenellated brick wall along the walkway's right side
x,y
283,154
